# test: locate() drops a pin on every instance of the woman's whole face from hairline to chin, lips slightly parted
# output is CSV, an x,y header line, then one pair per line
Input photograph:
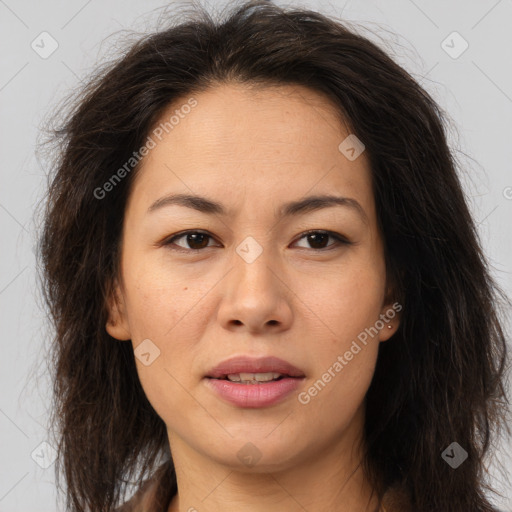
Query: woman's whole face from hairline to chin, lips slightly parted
x,y
253,270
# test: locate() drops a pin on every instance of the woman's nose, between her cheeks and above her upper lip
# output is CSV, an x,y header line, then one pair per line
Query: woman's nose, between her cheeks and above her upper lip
x,y
255,295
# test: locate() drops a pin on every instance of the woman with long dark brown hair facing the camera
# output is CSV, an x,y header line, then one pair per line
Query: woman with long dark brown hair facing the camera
x,y
205,338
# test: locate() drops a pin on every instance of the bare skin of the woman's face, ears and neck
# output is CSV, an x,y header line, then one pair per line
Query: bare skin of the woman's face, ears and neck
x,y
253,150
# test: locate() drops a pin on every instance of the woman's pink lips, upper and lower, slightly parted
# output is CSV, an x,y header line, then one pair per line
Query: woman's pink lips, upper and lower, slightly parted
x,y
263,394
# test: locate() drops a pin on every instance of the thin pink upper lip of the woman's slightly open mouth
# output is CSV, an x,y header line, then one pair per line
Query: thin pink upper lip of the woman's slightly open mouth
x,y
247,364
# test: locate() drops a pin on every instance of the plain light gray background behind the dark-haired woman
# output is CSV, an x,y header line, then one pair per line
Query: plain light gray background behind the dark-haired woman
x,y
475,88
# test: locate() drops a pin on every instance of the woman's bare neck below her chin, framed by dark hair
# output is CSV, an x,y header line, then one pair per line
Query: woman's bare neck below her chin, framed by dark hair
x,y
331,479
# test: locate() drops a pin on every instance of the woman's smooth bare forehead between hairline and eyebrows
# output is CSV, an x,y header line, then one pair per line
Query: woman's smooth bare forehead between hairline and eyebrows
x,y
253,145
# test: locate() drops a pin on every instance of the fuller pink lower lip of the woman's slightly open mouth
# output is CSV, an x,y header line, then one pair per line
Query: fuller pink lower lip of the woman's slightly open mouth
x,y
262,394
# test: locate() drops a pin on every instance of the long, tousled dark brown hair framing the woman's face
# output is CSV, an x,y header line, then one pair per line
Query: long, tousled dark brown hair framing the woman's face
x,y
440,379
